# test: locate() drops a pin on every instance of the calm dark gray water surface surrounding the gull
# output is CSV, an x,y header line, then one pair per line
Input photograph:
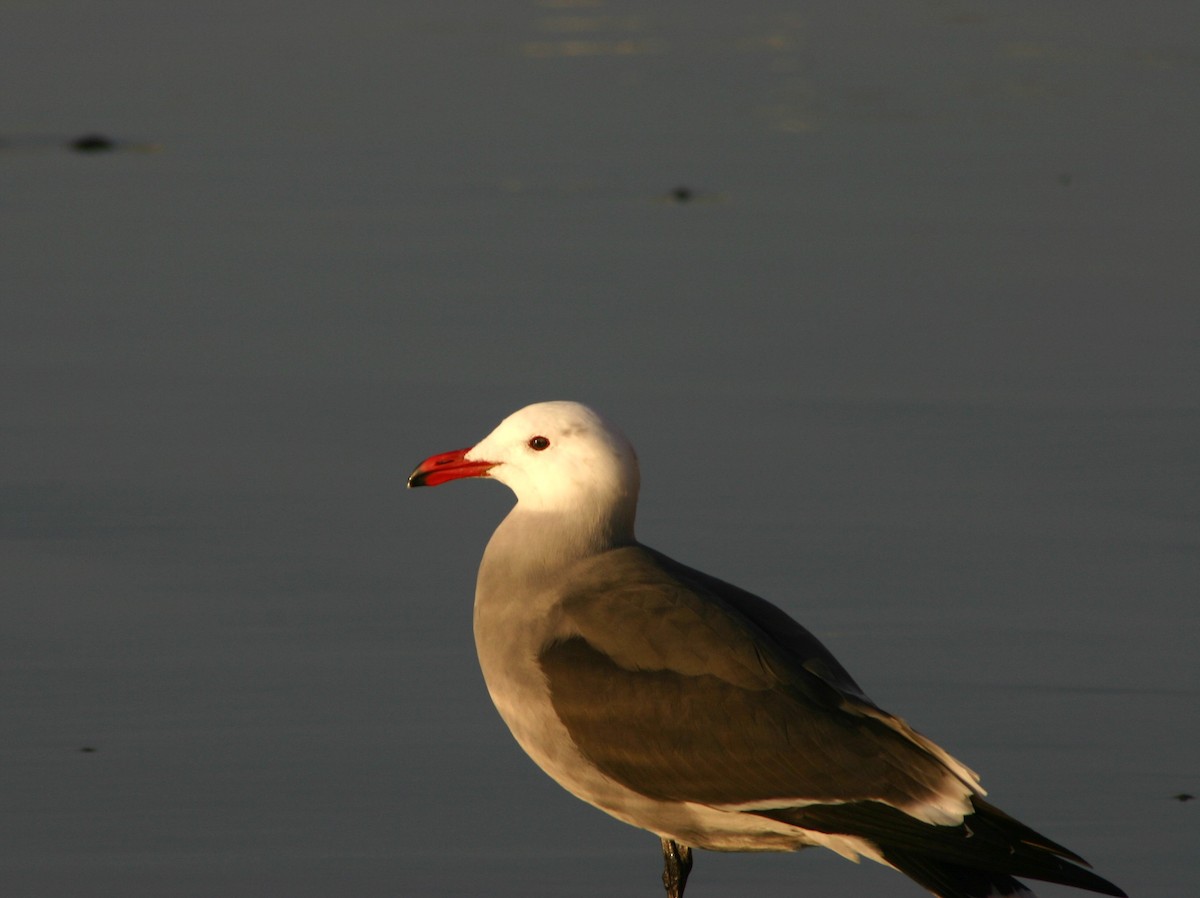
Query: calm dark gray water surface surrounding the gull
x,y
917,360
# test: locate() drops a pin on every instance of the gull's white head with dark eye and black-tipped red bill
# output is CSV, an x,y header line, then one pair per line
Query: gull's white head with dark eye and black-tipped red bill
x,y
559,458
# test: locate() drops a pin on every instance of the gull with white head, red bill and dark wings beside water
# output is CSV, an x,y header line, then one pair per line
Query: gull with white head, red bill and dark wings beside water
x,y
695,710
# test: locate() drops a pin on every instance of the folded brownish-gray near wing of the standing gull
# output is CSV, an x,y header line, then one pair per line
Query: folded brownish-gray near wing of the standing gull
x,y
686,689
